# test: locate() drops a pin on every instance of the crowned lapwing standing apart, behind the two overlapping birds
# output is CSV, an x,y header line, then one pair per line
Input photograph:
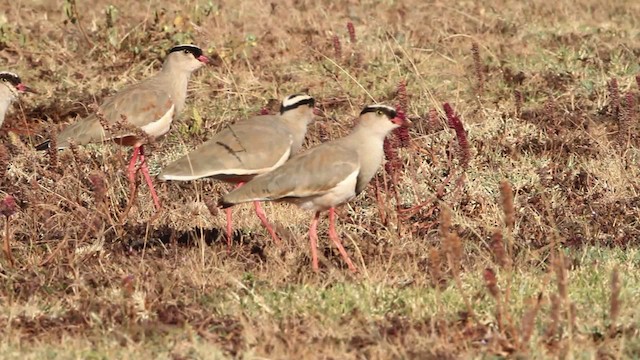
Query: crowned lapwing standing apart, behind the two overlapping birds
x,y
140,111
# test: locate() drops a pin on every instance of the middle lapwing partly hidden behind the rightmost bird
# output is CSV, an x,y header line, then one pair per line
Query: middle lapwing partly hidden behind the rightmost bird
x,y
248,148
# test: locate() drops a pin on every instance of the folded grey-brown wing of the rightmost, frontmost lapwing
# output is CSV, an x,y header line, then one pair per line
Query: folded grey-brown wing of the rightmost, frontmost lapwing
x,y
312,173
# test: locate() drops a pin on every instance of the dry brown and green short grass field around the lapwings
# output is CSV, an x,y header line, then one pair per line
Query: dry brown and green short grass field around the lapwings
x,y
508,228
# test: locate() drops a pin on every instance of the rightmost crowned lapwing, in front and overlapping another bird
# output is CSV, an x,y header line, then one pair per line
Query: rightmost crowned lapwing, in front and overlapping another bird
x,y
326,176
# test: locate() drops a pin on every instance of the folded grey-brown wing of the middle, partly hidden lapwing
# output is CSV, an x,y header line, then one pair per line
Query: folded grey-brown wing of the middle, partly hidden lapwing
x,y
246,148
